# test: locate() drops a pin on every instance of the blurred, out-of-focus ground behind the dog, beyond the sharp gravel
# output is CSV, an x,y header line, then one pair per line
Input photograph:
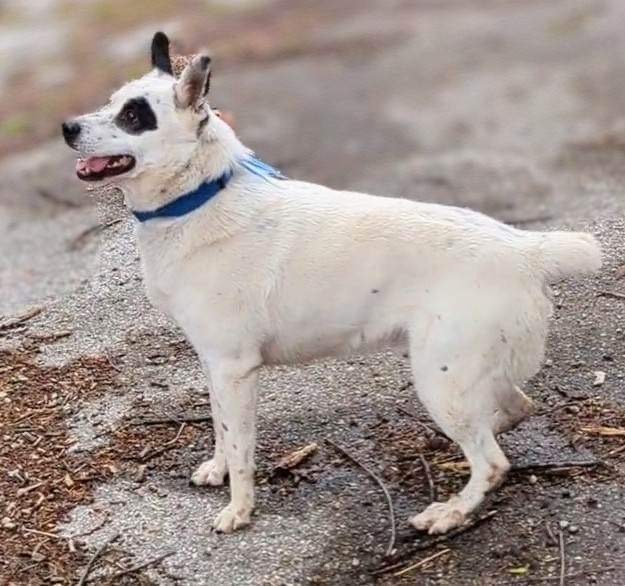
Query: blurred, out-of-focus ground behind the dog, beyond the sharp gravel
x,y
485,103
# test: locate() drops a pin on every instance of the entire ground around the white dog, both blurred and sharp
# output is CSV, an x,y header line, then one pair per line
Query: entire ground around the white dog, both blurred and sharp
x,y
512,107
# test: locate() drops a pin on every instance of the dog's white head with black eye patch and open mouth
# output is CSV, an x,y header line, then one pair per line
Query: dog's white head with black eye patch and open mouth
x,y
155,122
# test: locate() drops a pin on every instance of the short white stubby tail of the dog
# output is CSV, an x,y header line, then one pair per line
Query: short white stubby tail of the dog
x,y
566,254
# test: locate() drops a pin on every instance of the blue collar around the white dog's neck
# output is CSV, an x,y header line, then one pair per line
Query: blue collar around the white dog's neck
x,y
188,202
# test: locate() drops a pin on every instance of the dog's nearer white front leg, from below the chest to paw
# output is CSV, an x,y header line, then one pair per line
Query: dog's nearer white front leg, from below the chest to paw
x,y
234,393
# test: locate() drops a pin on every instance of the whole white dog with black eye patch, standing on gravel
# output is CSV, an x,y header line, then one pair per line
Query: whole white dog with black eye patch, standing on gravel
x,y
261,270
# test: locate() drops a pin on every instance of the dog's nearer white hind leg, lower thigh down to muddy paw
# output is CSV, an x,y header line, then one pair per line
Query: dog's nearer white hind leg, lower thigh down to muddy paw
x,y
460,396
